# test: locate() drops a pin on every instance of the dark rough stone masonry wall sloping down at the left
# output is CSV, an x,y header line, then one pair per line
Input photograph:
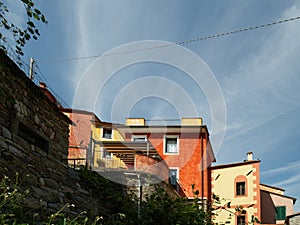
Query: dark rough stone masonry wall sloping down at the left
x,y
34,144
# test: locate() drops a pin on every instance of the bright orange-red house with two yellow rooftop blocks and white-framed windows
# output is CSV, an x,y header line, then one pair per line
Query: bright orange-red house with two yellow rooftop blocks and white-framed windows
x,y
185,148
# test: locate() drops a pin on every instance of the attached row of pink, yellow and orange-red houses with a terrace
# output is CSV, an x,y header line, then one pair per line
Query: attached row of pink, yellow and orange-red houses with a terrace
x,y
180,154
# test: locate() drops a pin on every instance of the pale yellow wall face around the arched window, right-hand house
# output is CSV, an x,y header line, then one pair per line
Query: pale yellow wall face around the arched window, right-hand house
x,y
224,187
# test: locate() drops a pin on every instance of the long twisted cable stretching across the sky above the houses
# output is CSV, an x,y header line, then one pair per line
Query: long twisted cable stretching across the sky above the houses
x,y
175,43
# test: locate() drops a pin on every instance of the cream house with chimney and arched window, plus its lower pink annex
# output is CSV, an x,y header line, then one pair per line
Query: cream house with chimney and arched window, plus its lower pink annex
x,y
239,188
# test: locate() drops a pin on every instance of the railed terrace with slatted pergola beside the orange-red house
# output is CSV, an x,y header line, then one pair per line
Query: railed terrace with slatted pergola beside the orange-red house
x,y
124,155
